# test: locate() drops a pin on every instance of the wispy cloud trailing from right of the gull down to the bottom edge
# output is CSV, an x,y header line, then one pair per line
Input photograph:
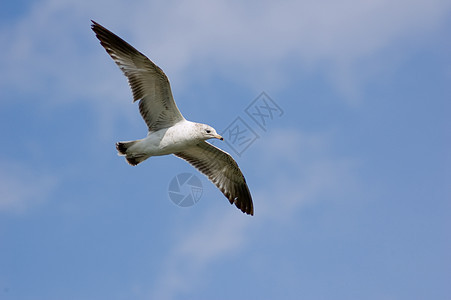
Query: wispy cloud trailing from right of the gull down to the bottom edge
x,y
302,173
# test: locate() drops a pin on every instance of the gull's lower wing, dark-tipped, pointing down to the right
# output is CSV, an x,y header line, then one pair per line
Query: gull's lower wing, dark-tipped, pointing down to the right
x,y
223,171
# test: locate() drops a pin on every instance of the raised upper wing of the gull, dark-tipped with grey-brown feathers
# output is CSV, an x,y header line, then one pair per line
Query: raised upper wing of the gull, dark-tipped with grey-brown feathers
x,y
147,81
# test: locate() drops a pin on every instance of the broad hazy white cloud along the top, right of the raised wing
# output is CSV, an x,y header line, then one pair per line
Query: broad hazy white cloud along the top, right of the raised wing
x,y
254,43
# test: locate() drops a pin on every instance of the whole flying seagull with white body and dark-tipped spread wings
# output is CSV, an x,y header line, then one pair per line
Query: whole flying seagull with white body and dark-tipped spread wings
x,y
168,131
